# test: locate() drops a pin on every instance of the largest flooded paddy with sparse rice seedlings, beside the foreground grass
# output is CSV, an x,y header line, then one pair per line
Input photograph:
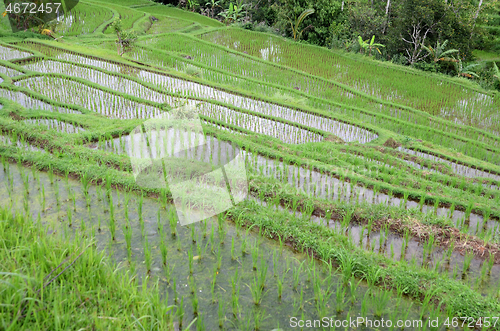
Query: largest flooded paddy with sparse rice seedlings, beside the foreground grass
x,y
194,255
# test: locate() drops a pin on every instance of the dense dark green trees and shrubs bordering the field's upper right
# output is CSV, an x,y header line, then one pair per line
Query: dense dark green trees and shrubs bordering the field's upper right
x,y
405,28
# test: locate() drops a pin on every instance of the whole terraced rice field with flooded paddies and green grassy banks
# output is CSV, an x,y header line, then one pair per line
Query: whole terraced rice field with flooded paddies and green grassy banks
x,y
362,195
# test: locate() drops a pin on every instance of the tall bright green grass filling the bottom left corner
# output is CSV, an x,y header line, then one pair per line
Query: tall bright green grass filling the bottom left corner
x,y
52,283
